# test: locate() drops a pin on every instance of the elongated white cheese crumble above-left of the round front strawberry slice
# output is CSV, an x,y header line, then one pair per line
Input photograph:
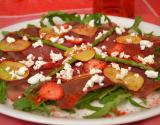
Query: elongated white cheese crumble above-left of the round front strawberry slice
x,y
39,77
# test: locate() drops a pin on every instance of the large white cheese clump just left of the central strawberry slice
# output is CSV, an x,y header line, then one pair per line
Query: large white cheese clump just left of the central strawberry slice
x,y
67,73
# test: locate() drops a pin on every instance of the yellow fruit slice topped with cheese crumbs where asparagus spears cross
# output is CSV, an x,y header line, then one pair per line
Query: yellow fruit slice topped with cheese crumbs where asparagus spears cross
x,y
81,54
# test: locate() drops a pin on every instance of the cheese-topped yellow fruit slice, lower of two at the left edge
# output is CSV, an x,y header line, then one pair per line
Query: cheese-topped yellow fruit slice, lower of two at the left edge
x,y
8,67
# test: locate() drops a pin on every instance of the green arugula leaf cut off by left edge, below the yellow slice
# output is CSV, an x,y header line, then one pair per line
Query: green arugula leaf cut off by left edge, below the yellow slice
x,y
3,91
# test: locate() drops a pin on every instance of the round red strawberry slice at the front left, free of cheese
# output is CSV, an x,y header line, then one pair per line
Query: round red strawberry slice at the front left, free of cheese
x,y
51,91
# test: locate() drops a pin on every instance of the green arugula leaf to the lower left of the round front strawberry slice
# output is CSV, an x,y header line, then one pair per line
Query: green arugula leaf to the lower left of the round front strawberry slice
x,y
26,104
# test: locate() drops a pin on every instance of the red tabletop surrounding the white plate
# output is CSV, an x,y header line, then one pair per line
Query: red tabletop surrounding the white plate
x,y
13,11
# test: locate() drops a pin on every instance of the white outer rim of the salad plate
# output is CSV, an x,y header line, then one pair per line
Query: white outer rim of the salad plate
x,y
148,113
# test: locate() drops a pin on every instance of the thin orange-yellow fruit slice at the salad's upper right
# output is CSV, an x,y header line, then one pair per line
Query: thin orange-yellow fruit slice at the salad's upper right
x,y
128,39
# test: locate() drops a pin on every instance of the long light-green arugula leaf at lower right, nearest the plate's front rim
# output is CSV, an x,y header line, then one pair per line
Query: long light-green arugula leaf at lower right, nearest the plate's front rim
x,y
109,106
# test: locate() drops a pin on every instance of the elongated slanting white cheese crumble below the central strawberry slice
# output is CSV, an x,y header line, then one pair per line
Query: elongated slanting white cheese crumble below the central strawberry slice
x,y
94,79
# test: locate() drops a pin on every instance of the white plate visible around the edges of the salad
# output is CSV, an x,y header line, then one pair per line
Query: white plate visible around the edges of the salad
x,y
8,110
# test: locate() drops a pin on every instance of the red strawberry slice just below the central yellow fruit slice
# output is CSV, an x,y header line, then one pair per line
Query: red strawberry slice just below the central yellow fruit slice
x,y
94,63
